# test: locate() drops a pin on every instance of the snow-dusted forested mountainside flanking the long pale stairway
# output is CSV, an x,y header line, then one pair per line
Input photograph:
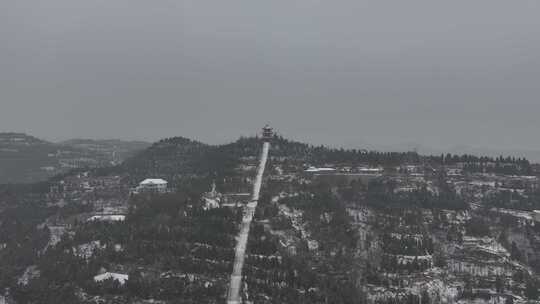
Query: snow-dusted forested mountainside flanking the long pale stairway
x,y
423,229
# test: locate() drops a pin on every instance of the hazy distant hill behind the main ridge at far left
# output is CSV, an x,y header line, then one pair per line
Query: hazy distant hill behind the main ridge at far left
x,y
26,159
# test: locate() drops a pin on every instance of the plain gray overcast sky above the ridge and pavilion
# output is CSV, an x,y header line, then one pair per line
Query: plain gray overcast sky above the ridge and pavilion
x,y
436,73
